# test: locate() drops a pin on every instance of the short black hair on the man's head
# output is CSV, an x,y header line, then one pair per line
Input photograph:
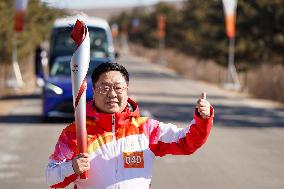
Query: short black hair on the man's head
x,y
106,67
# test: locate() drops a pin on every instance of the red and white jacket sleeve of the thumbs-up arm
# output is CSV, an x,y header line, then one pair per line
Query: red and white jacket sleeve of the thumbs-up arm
x,y
168,139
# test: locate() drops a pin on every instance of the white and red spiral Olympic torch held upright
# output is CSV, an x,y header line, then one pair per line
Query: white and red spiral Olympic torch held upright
x,y
79,67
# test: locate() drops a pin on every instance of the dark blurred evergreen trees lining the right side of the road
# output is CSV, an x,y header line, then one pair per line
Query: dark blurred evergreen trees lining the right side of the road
x,y
198,29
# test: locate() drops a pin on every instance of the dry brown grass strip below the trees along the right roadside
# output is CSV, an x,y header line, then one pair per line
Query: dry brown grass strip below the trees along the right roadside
x,y
265,81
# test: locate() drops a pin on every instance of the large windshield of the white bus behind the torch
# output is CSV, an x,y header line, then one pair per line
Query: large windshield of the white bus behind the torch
x,y
62,44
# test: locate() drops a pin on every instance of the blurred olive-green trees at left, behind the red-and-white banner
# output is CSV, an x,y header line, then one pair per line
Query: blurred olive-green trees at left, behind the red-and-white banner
x,y
38,22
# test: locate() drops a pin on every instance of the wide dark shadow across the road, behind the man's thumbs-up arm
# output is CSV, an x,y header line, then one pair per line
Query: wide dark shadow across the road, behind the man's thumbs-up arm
x,y
242,116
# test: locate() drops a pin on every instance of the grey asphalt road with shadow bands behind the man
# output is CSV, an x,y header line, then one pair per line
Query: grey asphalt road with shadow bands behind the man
x,y
244,150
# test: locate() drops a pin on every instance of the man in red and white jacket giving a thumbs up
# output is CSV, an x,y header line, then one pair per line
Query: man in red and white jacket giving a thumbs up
x,y
121,144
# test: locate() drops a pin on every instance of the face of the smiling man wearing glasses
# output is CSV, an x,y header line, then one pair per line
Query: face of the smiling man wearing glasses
x,y
110,92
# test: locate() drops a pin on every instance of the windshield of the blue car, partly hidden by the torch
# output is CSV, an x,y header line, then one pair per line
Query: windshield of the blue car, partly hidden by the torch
x,y
62,68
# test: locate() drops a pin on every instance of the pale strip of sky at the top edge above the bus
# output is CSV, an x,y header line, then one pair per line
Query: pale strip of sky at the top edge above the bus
x,y
99,3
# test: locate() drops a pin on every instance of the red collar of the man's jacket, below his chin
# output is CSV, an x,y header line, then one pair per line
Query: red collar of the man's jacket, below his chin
x,y
105,120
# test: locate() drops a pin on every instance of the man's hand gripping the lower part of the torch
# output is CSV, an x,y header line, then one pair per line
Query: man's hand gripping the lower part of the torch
x,y
81,163
